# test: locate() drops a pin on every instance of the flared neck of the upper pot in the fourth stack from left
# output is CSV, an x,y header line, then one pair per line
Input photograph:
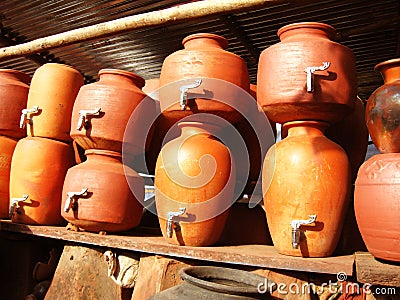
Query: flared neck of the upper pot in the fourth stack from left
x,y
204,41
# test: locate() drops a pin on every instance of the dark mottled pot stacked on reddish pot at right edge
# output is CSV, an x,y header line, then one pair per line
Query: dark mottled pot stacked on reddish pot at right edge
x,y
377,187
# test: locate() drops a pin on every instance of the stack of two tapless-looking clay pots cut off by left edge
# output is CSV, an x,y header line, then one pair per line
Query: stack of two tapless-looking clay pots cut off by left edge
x,y
14,88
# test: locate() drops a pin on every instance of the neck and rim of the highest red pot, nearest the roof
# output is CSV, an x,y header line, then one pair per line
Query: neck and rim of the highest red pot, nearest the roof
x,y
306,30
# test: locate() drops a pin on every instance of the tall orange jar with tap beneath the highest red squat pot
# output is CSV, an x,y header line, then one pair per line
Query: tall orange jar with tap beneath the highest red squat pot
x,y
306,177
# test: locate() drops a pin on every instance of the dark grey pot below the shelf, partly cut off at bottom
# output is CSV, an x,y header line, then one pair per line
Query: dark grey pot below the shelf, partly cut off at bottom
x,y
206,282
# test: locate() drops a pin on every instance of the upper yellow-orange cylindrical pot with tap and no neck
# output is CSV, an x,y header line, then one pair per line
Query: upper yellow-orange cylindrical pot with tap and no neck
x,y
50,101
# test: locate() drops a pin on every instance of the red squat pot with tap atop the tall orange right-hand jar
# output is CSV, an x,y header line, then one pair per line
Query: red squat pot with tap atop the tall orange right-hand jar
x,y
287,92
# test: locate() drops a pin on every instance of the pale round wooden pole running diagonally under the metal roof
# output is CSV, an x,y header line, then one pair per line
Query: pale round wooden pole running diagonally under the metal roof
x,y
179,13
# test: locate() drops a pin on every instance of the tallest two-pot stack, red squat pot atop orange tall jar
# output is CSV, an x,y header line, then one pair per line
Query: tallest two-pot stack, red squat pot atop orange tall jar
x,y
307,83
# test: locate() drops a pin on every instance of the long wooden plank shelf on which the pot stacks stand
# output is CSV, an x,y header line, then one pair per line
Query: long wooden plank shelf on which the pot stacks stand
x,y
249,255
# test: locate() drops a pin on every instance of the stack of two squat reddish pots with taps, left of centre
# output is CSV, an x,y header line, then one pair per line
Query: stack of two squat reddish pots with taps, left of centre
x,y
104,193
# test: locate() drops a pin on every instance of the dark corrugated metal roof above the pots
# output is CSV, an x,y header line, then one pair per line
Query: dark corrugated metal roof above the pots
x,y
143,51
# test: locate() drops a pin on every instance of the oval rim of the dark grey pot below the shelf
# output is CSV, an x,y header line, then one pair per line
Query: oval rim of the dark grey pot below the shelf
x,y
198,275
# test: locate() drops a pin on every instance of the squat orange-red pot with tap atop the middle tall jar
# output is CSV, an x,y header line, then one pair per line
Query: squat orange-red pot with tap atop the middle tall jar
x,y
223,77
